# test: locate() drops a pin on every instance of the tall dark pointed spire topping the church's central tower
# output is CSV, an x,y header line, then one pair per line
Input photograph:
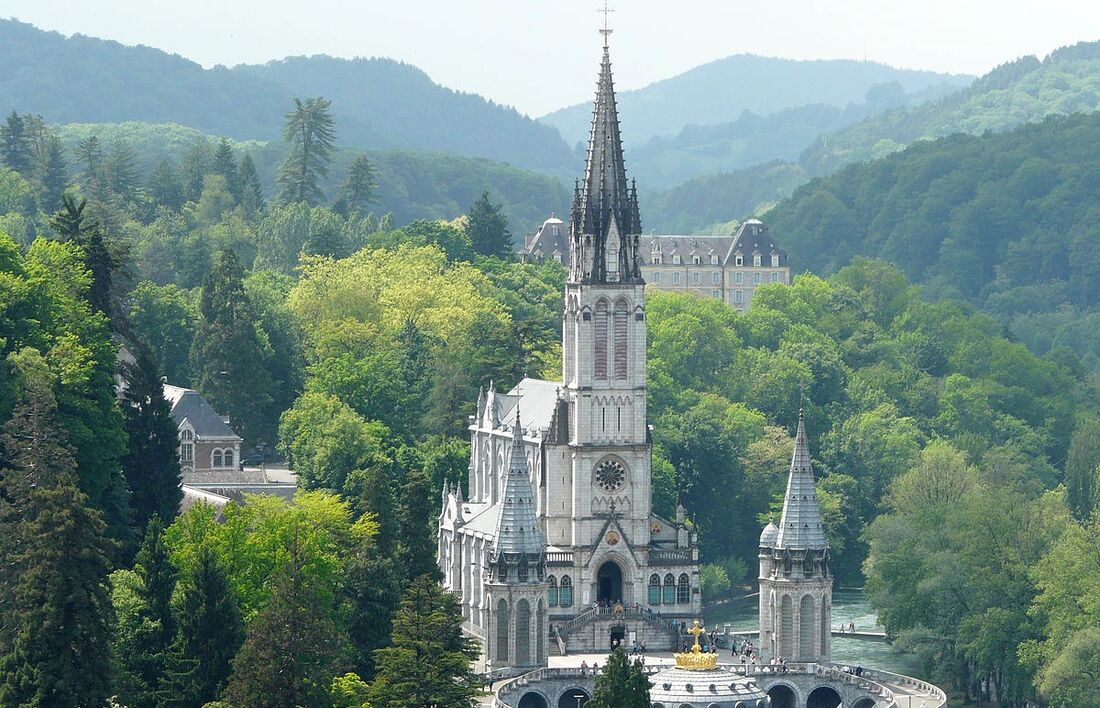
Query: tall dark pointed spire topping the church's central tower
x,y
607,224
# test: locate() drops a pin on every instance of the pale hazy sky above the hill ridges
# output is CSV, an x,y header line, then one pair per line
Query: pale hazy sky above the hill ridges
x,y
540,56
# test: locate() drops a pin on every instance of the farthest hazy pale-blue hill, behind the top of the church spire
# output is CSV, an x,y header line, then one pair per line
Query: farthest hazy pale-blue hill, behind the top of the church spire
x,y
722,91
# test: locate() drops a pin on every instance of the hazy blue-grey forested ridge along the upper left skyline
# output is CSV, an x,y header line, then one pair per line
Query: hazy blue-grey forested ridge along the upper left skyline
x,y
377,103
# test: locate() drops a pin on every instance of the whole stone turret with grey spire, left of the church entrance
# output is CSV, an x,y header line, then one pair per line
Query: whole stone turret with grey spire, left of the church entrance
x,y
515,573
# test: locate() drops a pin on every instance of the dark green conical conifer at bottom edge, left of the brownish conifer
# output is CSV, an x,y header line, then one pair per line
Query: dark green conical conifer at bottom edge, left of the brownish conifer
x,y
210,635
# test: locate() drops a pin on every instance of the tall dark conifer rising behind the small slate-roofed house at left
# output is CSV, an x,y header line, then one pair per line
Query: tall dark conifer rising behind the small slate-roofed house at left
x,y
228,357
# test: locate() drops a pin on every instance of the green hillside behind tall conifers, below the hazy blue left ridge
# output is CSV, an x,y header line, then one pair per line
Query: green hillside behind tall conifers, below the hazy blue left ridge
x,y
412,184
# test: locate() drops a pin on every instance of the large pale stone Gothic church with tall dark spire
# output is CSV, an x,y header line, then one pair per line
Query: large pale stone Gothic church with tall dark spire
x,y
556,547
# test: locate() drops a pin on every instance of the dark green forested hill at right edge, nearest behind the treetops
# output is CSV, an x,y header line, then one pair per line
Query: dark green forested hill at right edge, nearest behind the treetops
x,y
1008,222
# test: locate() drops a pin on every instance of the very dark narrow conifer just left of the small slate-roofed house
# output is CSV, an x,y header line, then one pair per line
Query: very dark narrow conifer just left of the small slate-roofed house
x,y
152,462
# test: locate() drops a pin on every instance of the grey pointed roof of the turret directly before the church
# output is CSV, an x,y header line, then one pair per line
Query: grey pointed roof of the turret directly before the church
x,y
519,530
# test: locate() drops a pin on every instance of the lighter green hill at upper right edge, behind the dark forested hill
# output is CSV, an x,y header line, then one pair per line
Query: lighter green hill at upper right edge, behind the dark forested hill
x,y
1021,92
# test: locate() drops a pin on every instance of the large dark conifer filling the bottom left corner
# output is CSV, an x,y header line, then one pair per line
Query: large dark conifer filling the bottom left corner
x,y
60,617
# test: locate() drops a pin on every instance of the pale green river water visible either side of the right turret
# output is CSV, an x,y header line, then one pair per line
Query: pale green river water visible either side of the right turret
x,y
849,606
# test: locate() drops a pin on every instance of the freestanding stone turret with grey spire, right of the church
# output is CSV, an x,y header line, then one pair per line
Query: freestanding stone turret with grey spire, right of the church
x,y
796,585
